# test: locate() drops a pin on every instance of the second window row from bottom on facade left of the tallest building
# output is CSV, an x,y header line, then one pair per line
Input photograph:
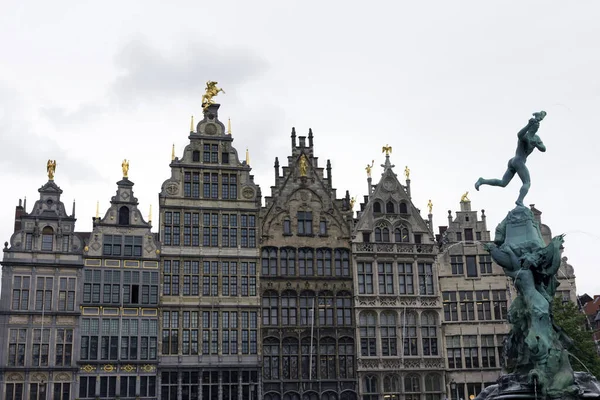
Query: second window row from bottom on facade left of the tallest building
x,y
119,339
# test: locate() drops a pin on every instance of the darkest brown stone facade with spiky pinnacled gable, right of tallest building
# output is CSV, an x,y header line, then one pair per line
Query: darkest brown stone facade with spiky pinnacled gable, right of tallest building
x,y
308,326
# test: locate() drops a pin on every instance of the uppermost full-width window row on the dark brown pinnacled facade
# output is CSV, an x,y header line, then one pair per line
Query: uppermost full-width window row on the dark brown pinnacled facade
x,y
306,261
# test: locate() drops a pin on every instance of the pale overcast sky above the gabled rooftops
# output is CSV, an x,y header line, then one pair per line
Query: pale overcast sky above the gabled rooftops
x,y
446,83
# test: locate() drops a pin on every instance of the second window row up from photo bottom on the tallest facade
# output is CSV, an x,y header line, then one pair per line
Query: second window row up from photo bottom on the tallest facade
x,y
209,332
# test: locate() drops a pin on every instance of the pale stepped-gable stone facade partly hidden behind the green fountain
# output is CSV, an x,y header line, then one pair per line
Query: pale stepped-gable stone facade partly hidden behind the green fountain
x,y
476,296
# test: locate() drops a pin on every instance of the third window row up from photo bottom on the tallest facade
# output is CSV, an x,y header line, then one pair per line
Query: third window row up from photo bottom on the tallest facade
x,y
209,278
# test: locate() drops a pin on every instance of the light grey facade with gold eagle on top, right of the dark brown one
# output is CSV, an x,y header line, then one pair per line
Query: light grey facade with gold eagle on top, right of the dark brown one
x,y
397,305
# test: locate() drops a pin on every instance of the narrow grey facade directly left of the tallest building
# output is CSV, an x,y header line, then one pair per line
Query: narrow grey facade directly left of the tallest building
x,y
118,327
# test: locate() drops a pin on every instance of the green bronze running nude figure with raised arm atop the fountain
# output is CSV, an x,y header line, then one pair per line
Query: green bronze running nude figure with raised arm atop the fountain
x,y
528,141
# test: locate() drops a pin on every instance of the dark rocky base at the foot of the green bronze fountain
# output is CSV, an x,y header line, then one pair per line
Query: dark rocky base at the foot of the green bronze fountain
x,y
515,387
